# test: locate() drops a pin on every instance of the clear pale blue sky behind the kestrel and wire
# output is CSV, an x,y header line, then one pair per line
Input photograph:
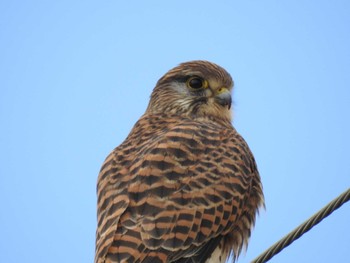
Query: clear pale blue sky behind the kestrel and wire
x,y
76,75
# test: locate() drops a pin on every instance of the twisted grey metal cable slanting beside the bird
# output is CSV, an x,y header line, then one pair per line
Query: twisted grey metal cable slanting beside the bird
x,y
303,228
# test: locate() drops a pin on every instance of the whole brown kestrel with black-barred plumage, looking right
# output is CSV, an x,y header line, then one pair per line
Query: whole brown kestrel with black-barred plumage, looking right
x,y
184,185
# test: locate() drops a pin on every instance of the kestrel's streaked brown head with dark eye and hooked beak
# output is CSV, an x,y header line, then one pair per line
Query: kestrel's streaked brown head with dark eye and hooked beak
x,y
195,89
